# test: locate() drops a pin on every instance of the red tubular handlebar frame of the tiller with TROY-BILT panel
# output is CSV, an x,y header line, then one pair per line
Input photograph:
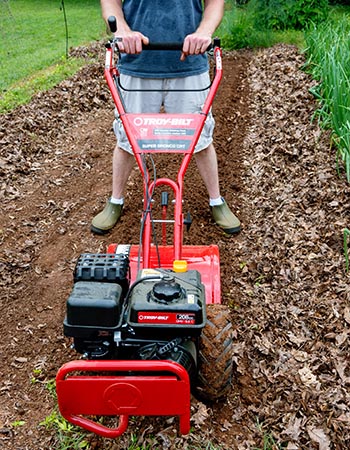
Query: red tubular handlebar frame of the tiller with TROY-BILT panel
x,y
170,124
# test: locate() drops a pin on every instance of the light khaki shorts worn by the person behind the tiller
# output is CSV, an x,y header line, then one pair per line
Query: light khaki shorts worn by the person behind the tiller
x,y
173,102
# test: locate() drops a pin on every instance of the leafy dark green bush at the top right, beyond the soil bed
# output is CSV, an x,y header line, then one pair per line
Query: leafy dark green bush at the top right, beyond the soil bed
x,y
289,14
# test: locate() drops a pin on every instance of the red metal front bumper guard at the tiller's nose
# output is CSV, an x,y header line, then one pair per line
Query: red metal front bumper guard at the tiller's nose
x,y
130,388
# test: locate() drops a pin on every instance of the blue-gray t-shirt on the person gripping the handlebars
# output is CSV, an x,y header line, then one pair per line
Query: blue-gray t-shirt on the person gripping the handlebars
x,y
163,21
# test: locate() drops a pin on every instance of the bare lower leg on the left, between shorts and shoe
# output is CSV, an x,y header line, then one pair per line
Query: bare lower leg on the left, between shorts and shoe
x,y
123,162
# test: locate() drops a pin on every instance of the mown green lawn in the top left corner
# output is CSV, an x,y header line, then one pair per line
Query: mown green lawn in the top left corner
x,y
33,44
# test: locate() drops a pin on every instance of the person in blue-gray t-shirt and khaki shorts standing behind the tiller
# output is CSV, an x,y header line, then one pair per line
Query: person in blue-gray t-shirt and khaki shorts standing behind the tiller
x,y
140,22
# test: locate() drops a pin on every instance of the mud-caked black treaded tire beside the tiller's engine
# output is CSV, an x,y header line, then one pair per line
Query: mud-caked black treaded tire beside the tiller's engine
x,y
215,365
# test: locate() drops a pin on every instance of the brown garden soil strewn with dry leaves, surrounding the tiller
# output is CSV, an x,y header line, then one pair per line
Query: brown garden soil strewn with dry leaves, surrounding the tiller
x,y
283,276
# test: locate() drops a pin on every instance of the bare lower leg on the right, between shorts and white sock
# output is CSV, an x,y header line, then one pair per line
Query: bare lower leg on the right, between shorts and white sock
x,y
208,168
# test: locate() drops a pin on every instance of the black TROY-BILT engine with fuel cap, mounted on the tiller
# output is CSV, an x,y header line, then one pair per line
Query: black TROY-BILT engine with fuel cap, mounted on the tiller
x,y
160,316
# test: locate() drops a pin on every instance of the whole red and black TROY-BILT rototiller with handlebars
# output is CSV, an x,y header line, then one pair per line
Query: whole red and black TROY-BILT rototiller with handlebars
x,y
148,318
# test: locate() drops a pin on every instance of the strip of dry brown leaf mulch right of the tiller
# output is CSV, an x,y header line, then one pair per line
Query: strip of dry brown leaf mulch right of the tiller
x,y
294,311
